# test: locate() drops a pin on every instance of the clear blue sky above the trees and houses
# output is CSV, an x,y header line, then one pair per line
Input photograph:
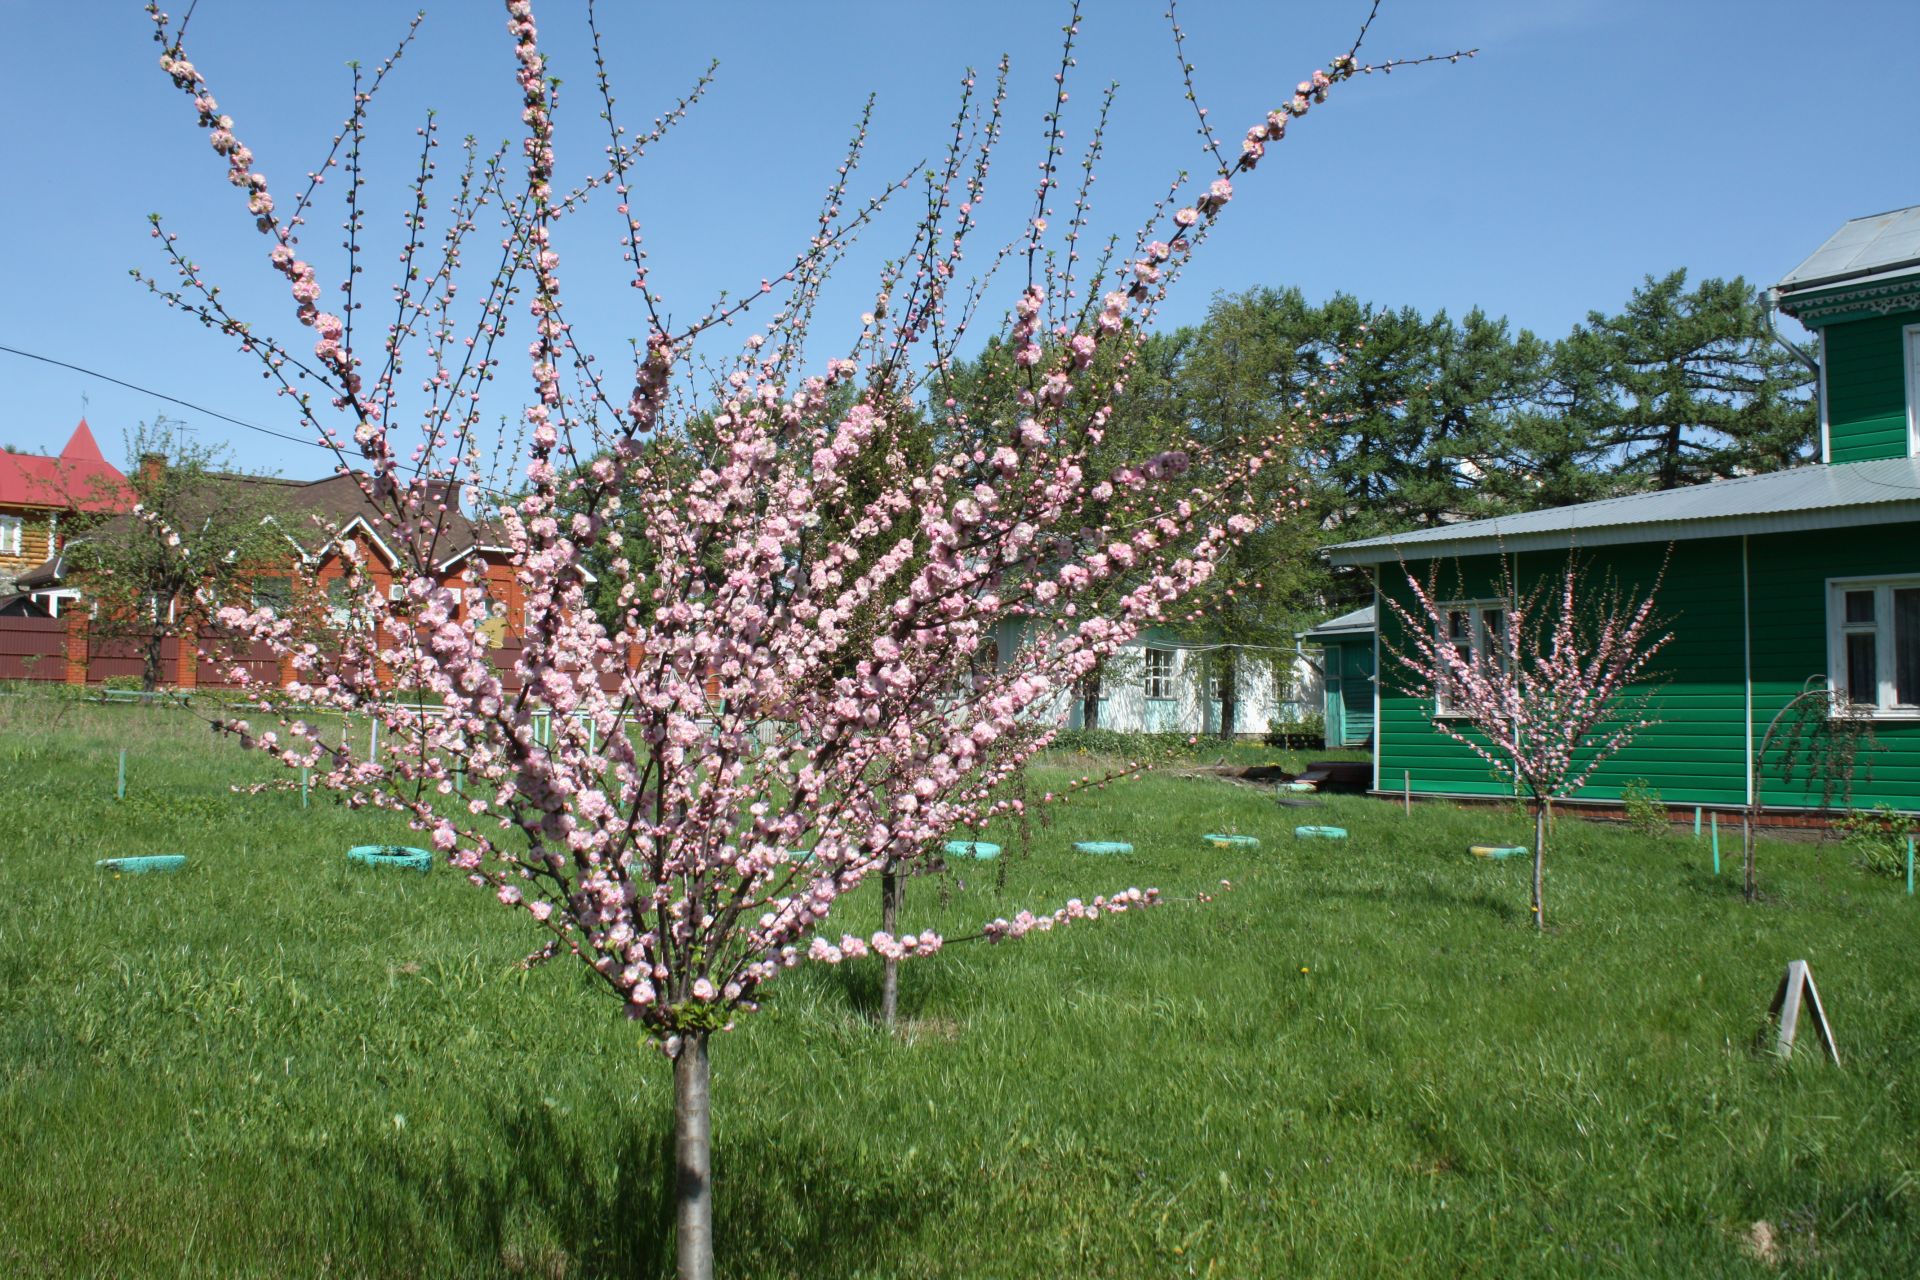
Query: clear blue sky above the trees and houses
x,y
1589,145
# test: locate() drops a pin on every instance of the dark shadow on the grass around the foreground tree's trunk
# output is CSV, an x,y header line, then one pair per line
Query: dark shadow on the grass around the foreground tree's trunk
x,y
606,1204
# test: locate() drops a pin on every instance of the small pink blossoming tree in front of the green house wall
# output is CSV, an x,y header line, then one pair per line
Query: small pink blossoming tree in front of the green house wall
x,y
1558,690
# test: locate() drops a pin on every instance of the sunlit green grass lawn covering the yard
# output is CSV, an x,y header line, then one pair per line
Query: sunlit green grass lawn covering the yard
x,y
1358,1062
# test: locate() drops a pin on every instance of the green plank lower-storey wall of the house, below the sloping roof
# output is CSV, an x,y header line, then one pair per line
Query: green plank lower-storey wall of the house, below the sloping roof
x,y
1698,751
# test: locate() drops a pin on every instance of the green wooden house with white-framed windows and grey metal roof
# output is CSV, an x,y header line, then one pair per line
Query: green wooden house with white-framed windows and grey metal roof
x,y
1775,581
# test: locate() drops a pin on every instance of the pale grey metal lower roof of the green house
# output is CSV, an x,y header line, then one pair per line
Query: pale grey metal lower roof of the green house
x,y
1806,498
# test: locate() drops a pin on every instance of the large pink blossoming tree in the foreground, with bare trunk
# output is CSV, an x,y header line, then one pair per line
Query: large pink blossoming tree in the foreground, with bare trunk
x,y
681,797
